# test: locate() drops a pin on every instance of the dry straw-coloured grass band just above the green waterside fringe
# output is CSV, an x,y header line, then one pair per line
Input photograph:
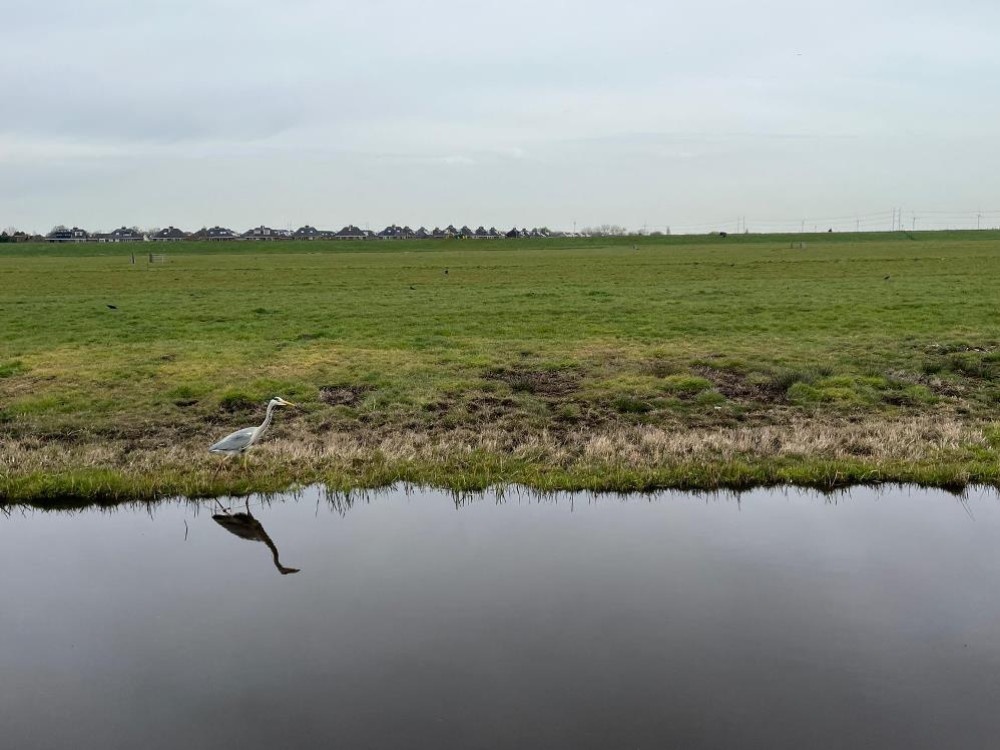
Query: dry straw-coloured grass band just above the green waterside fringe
x,y
915,439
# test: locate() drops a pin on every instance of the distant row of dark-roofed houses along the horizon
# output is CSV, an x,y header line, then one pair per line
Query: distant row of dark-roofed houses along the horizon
x,y
350,232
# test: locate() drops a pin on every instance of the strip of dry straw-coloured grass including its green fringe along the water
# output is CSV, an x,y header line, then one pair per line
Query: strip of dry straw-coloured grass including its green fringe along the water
x,y
925,449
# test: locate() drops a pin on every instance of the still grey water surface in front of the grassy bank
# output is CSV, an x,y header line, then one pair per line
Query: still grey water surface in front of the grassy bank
x,y
782,620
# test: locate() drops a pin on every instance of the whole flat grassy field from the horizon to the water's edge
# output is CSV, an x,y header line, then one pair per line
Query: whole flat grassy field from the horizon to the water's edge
x,y
603,364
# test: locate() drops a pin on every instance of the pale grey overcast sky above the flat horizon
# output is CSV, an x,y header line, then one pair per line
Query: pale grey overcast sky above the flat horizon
x,y
535,112
